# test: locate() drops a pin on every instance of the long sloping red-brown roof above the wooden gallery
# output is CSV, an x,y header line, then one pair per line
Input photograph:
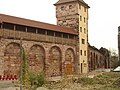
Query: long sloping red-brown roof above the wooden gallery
x,y
32,23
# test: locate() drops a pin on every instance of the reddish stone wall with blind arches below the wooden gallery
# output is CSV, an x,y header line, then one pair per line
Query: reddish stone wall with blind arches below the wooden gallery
x,y
49,58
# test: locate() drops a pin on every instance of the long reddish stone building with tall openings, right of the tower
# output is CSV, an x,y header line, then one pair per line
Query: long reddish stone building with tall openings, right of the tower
x,y
98,58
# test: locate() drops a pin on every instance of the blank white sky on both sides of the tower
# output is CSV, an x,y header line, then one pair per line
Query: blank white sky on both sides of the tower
x,y
104,17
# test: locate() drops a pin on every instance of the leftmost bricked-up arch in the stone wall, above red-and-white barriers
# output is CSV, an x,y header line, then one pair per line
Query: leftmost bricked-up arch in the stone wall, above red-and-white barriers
x,y
12,59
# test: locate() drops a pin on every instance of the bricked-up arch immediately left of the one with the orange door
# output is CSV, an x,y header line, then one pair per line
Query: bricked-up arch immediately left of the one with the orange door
x,y
55,61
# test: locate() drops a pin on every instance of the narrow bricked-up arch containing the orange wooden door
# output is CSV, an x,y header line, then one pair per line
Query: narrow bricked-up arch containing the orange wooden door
x,y
69,61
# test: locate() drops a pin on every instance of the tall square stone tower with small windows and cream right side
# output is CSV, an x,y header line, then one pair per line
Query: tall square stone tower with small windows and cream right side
x,y
74,14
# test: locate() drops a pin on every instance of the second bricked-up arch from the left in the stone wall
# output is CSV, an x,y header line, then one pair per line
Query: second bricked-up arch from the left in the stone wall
x,y
36,59
